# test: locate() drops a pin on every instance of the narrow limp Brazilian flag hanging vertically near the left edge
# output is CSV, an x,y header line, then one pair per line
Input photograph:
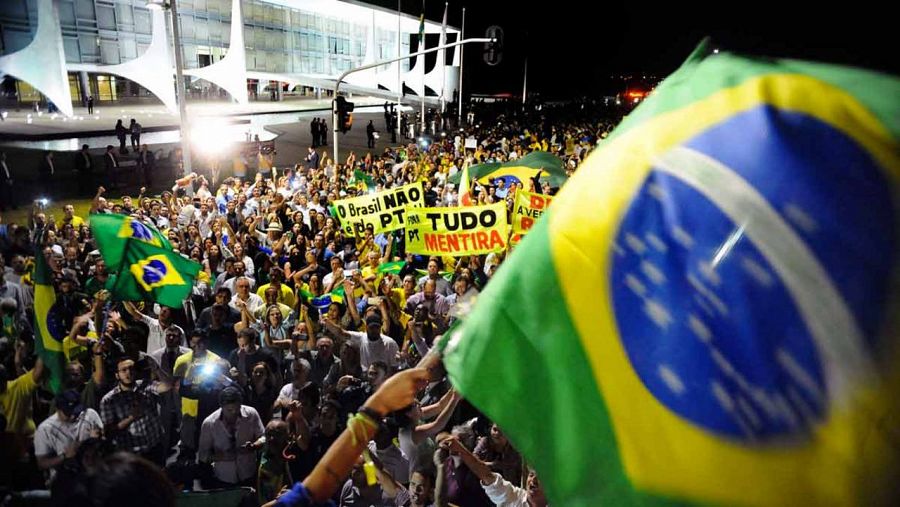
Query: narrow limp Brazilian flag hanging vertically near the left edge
x,y
49,328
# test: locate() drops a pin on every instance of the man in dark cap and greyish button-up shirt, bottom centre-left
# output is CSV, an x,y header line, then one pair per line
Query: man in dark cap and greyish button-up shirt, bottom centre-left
x,y
226,439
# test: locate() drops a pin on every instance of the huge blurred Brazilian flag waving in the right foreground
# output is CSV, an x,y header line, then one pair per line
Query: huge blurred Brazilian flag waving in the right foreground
x,y
703,316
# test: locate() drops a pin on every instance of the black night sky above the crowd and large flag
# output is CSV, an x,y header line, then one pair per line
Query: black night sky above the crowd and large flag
x,y
573,47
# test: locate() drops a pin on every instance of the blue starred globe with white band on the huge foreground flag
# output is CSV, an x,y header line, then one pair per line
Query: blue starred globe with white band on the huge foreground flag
x,y
727,287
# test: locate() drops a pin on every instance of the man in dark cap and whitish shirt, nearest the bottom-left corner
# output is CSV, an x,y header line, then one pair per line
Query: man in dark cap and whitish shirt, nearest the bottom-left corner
x,y
59,436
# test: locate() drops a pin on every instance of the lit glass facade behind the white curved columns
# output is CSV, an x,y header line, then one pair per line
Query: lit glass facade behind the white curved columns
x,y
277,39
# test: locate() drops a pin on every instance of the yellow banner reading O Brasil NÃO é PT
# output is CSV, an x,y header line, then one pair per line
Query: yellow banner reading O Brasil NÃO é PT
x,y
384,210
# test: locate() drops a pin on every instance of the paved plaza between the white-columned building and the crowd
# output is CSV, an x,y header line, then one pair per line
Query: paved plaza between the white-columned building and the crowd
x,y
225,124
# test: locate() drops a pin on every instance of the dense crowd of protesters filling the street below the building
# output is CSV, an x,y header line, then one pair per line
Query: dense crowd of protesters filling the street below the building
x,y
249,383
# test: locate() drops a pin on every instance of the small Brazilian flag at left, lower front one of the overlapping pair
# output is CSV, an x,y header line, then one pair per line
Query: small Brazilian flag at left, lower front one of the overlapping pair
x,y
148,271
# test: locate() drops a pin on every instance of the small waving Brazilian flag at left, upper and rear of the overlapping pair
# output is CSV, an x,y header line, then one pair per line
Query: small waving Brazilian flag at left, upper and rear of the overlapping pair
x,y
113,232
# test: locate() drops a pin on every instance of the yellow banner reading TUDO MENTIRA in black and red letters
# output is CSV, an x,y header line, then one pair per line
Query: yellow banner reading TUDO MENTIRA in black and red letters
x,y
457,231
